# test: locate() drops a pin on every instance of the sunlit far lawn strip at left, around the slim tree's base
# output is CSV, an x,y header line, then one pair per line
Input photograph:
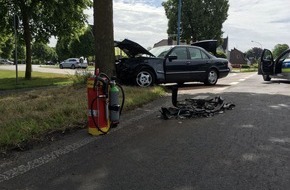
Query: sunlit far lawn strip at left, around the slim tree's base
x,y
8,80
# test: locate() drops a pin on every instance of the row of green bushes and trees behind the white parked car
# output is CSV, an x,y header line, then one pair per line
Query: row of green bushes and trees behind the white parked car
x,y
81,45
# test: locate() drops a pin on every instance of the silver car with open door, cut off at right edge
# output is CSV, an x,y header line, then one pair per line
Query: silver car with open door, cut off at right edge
x,y
278,68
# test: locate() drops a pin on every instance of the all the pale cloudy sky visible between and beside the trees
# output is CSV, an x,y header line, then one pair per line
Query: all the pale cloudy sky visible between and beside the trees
x,y
250,23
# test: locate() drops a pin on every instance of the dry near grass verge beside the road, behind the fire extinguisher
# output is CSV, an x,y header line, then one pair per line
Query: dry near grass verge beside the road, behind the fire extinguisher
x,y
31,115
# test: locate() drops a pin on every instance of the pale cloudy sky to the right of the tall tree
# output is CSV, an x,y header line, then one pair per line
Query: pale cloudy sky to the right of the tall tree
x,y
264,21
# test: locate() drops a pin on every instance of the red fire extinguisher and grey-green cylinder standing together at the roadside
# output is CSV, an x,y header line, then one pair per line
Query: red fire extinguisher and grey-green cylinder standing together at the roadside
x,y
104,109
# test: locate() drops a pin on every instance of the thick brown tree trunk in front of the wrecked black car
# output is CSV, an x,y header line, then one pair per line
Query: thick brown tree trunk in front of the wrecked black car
x,y
104,36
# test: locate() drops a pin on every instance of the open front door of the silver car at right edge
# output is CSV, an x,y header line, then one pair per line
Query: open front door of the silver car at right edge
x,y
266,67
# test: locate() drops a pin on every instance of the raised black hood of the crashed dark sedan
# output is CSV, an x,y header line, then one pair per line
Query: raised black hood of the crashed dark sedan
x,y
132,48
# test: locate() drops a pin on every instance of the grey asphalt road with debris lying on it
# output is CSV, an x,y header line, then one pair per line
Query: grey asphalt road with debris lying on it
x,y
244,148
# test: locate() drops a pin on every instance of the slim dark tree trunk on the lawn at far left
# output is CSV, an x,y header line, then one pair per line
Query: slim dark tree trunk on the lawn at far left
x,y
27,39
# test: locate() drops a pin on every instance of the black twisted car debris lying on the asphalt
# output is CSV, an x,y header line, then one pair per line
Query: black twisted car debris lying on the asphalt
x,y
191,108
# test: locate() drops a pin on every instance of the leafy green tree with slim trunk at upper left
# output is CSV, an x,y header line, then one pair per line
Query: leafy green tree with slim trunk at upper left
x,y
39,20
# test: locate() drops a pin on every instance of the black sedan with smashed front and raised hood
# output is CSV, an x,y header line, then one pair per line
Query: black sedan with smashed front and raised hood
x,y
168,64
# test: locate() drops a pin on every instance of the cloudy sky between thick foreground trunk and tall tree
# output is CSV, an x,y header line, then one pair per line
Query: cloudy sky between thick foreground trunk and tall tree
x,y
142,21
